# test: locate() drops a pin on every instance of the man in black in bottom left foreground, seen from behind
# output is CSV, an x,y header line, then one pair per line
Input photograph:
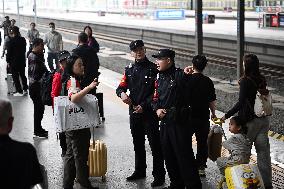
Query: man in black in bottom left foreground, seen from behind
x,y
19,166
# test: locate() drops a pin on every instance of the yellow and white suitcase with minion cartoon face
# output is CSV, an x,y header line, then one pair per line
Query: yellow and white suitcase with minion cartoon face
x,y
244,176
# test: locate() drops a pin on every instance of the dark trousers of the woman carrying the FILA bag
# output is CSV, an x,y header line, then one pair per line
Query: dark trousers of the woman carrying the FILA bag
x,y
75,160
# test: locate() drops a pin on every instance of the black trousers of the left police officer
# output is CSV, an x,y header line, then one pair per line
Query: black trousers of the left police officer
x,y
141,125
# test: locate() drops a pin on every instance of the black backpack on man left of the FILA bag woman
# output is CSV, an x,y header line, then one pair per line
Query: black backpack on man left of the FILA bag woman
x,y
46,88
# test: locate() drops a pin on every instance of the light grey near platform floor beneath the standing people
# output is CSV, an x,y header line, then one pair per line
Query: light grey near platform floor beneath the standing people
x,y
115,133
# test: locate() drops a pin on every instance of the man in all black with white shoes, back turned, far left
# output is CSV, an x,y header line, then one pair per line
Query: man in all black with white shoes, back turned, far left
x,y
16,59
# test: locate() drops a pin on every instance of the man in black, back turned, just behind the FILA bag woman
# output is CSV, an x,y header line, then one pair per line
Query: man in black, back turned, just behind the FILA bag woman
x,y
90,60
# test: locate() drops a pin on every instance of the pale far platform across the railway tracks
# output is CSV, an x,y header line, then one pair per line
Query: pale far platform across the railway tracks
x,y
221,28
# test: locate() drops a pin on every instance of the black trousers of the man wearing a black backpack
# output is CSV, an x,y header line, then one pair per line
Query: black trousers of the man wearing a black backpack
x,y
34,91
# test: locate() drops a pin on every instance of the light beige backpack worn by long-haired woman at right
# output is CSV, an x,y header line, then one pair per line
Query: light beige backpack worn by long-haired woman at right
x,y
263,104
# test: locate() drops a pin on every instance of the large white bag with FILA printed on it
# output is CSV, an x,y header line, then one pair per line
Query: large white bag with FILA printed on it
x,y
70,116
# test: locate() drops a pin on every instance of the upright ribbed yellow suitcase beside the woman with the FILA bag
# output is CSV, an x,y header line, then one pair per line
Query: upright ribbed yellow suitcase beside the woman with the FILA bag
x,y
97,159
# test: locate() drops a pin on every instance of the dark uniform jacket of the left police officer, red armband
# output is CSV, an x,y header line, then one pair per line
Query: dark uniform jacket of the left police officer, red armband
x,y
139,79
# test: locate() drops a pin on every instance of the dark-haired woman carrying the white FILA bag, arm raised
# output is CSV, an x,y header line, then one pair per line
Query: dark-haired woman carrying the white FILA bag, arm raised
x,y
78,141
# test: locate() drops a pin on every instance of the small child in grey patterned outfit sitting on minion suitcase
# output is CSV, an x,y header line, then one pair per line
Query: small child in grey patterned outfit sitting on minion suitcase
x,y
238,145
